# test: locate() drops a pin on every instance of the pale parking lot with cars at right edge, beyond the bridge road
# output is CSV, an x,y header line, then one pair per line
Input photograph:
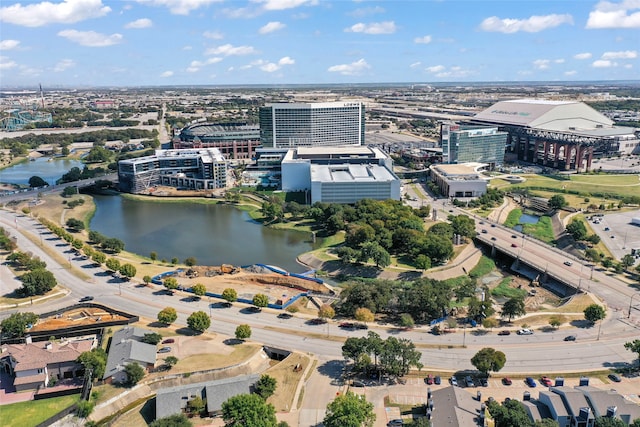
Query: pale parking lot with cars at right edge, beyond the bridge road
x,y
617,232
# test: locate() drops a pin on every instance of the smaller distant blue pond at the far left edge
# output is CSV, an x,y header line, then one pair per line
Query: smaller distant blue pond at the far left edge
x,y
47,168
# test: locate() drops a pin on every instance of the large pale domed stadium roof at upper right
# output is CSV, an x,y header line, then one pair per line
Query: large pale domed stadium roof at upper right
x,y
559,116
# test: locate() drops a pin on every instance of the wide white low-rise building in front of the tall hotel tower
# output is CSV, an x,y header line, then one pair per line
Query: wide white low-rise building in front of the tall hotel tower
x,y
340,174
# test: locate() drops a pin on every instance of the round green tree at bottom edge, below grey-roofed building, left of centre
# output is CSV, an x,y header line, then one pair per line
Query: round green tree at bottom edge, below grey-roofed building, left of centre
x,y
248,410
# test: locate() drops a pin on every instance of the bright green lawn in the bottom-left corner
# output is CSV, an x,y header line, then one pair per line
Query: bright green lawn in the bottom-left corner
x,y
33,412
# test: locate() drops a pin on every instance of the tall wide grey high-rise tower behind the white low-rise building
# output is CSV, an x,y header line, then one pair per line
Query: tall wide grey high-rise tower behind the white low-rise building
x,y
326,124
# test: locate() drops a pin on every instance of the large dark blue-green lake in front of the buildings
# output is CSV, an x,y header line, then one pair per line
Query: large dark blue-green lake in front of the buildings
x,y
212,233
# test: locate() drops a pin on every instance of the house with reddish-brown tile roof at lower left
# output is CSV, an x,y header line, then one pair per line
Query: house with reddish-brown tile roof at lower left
x,y
34,365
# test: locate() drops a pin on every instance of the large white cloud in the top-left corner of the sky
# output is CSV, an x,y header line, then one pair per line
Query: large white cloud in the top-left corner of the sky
x,y
65,12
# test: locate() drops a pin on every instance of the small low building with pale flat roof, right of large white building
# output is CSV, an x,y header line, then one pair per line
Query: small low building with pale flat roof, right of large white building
x,y
459,180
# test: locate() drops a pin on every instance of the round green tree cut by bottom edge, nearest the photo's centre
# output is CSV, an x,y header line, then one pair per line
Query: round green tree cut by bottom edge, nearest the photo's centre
x,y
349,410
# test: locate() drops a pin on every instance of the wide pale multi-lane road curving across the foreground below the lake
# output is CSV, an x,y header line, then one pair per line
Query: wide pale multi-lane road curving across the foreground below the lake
x,y
543,352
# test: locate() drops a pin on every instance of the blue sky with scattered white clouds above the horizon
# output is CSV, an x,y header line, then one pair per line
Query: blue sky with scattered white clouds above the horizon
x,y
227,42
